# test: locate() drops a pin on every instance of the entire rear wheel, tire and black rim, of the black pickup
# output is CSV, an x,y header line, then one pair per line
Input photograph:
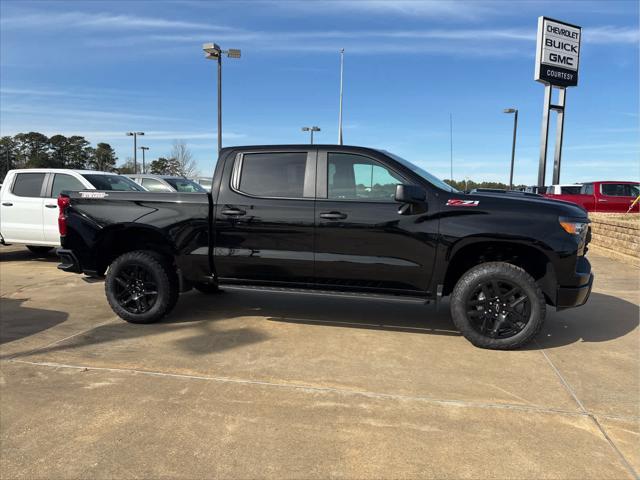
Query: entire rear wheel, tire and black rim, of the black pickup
x,y
141,287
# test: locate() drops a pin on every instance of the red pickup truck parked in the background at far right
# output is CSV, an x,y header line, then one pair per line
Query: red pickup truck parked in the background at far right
x,y
609,196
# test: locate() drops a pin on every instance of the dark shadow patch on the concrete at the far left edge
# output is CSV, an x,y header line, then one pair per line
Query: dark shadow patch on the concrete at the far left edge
x,y
18,321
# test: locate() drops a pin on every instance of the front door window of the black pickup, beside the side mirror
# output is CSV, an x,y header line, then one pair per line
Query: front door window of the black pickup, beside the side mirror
x,y
354,177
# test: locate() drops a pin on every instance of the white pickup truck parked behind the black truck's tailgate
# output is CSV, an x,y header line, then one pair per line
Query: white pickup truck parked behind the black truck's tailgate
x,y
28,202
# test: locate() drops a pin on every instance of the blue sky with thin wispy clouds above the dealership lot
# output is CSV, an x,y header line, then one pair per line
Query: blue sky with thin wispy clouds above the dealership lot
x,y
99,69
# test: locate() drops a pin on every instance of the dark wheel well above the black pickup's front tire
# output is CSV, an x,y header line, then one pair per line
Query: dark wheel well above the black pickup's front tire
x,y
530,259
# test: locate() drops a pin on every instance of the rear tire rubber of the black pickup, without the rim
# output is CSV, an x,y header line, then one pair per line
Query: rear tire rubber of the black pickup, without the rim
x,y
159,270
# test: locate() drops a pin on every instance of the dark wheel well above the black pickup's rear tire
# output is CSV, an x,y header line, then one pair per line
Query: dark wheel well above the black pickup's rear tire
x,y
118,241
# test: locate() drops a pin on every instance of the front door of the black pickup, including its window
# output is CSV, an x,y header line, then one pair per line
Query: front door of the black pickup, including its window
x,y
361,240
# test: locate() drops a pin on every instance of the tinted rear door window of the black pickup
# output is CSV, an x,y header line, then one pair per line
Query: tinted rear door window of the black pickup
x,y
273,174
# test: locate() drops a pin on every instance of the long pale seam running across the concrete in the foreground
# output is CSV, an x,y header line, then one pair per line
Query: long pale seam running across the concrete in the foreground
x,y
311,388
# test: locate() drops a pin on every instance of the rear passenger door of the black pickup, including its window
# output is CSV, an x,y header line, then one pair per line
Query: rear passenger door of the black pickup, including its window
x,y
264,218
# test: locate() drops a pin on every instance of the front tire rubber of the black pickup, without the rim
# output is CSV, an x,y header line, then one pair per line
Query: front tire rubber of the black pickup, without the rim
x,y
502,272
